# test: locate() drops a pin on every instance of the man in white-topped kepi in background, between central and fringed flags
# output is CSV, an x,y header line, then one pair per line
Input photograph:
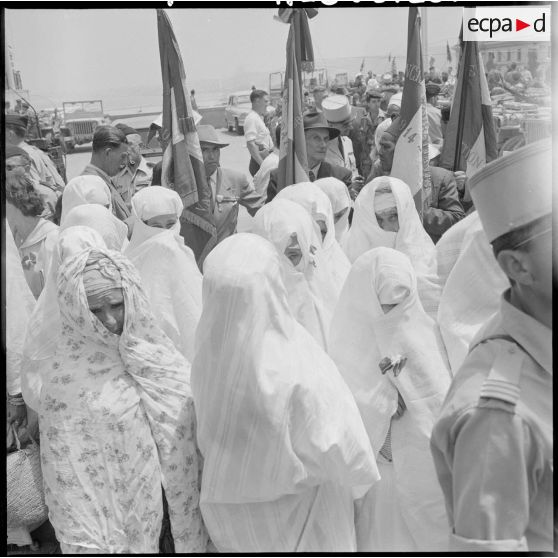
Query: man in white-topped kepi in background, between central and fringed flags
x,y
340,151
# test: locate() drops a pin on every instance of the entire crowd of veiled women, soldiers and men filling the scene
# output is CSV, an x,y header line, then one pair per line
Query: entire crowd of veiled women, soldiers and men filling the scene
x,y
350,375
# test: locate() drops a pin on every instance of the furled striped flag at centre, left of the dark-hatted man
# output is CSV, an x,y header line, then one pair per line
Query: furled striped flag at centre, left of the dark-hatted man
x,y
293,164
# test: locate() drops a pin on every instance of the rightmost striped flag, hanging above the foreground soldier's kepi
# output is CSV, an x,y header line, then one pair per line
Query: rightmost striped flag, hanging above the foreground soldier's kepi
x,y
470,139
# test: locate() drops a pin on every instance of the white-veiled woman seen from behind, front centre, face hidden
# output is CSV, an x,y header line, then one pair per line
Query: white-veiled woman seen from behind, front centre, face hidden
x,y
284,447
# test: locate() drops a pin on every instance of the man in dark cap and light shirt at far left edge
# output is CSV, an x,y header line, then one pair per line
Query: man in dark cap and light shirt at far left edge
x,y
42,169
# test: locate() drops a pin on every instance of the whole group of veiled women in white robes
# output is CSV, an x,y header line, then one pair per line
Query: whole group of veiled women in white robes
x,y
282,401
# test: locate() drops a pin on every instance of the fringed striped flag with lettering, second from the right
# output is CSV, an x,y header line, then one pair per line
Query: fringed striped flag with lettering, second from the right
x,y
410,159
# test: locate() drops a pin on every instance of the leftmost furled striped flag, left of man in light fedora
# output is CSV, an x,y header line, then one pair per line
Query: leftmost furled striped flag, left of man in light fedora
x,y
183,168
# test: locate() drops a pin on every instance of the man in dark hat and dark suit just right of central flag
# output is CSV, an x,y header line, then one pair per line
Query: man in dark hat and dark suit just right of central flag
x,y
318,134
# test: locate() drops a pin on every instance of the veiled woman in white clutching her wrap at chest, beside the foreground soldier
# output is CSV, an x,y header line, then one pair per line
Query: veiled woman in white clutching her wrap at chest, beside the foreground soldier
x,y
391,355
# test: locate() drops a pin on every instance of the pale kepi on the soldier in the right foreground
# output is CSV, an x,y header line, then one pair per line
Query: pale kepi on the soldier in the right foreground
x,y
514,190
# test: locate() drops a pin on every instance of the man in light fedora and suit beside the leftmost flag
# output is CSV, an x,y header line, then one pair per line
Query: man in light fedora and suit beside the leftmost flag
x,y
229,188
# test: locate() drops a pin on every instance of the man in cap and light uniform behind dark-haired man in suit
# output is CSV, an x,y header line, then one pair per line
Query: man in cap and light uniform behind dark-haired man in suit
x,y
137,173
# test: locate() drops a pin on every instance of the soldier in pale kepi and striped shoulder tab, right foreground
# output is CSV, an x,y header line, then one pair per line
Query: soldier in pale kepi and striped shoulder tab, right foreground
x,y
493,442
